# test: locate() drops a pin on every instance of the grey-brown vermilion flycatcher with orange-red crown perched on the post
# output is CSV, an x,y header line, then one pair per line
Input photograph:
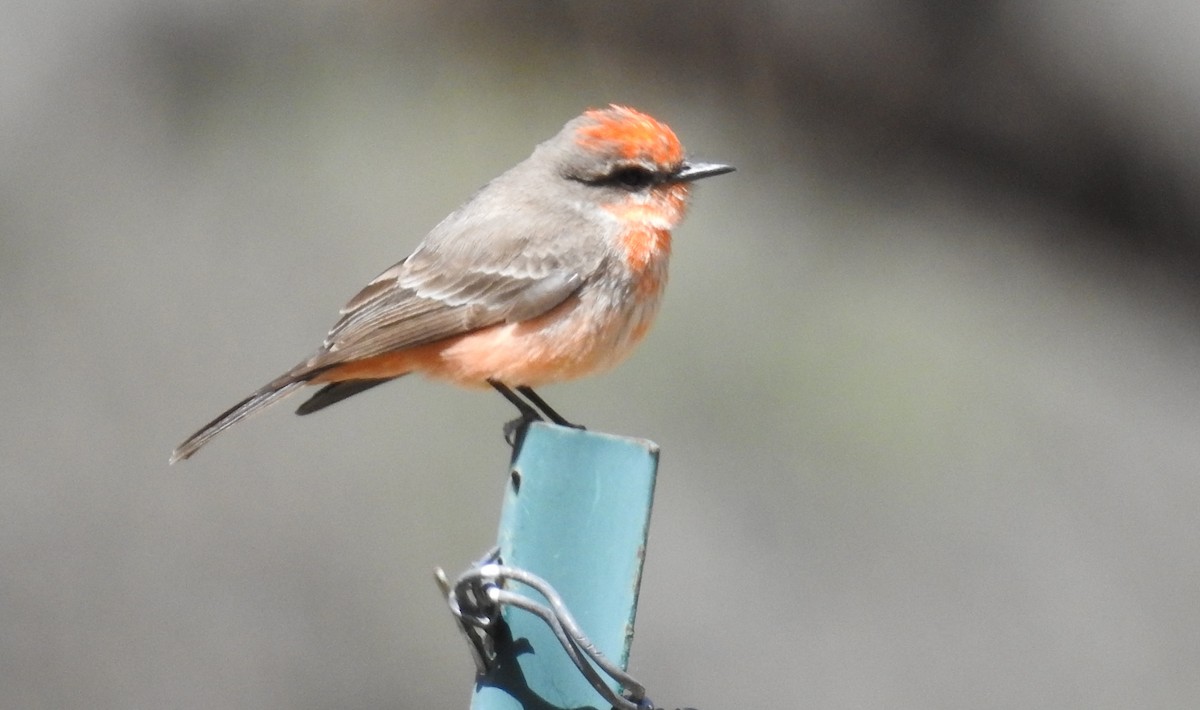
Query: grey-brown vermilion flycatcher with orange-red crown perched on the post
x,y
553,272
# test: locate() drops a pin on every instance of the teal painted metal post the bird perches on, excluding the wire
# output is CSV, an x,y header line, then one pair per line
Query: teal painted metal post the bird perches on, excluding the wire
x,y
577,514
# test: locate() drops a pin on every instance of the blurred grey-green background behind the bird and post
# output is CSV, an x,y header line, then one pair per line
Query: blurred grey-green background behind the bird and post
x,y
927,381
